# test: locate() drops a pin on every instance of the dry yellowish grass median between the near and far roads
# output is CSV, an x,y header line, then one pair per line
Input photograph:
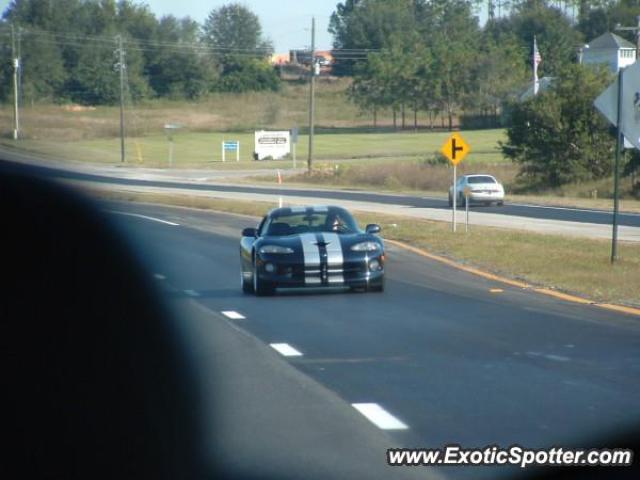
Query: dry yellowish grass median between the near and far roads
x,y
567,264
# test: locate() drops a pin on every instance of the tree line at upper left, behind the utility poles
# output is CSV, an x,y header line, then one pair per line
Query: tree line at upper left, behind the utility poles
x,y
70,50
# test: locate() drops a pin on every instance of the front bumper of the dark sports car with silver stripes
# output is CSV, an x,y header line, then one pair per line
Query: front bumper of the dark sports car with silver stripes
x,y
280,272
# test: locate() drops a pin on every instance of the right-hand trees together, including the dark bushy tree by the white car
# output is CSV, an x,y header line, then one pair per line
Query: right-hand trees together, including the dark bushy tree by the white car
x,y
433,56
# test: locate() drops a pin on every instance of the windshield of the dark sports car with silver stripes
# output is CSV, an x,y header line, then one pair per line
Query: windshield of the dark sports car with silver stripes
x,y
294,223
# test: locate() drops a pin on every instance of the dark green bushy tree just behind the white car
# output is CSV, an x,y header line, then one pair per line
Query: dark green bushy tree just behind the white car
x,y
558,137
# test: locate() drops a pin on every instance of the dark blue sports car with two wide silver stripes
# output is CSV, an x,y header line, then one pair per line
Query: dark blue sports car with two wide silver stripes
x,y
311,247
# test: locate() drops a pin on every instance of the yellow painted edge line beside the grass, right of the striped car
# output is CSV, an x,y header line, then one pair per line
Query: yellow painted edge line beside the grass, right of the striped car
x,y
515,283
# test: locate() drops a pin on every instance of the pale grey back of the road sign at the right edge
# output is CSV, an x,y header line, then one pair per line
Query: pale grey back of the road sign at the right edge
x,y
607,103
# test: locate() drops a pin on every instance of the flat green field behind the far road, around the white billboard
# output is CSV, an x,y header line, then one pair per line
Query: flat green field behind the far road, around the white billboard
x,y
197,149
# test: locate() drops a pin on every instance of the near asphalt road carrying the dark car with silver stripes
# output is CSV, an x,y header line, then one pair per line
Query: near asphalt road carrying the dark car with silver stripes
x,y
438,351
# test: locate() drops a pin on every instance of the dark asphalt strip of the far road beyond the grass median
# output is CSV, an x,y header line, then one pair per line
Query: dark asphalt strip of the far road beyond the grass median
x,y
601,217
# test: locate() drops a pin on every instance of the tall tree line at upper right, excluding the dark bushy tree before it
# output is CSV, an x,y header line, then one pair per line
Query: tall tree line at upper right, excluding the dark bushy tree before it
x,y
434,56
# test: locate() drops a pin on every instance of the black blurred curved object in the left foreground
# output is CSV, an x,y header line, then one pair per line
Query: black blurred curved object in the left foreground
x,y
95,384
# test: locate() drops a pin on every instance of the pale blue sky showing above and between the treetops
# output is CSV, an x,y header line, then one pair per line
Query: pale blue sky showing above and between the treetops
x,y
287,23
